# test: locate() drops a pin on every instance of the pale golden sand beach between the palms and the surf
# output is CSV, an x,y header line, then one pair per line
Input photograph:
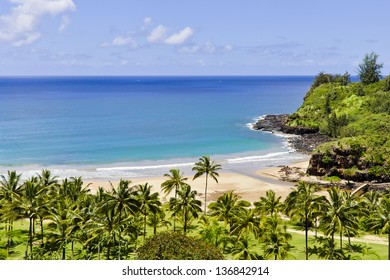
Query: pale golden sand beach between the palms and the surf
x,y
249,186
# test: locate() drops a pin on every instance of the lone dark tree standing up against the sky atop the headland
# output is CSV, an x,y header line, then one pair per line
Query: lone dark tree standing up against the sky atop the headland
x,y
370,70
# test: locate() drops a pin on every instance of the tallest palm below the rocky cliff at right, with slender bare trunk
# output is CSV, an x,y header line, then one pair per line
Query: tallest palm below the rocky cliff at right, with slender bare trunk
x,y
303,204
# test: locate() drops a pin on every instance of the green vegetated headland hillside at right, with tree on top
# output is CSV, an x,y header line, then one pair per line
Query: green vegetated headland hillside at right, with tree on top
x,y
357,117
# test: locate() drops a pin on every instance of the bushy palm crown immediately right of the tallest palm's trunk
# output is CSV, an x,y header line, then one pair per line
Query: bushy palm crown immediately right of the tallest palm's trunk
x,y
227,207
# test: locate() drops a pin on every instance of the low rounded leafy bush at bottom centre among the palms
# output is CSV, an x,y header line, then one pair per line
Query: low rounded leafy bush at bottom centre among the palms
x,y
176,246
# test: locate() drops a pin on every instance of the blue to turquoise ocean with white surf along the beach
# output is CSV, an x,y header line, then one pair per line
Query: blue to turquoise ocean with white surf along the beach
x,y
138,123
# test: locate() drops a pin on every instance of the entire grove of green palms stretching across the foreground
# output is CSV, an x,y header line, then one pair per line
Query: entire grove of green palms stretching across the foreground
x,y
66,221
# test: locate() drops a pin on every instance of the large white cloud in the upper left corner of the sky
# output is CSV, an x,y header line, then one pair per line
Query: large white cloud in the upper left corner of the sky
x,y
20,25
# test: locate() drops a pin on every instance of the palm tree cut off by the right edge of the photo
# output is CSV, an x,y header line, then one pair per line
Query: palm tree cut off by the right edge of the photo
x,y
381,219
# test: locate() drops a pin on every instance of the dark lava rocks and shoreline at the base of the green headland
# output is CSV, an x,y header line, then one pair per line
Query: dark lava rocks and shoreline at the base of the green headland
x,y
305,141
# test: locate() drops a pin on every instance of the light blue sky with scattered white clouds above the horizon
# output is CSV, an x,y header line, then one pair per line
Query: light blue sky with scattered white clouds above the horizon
x,y
191,37
